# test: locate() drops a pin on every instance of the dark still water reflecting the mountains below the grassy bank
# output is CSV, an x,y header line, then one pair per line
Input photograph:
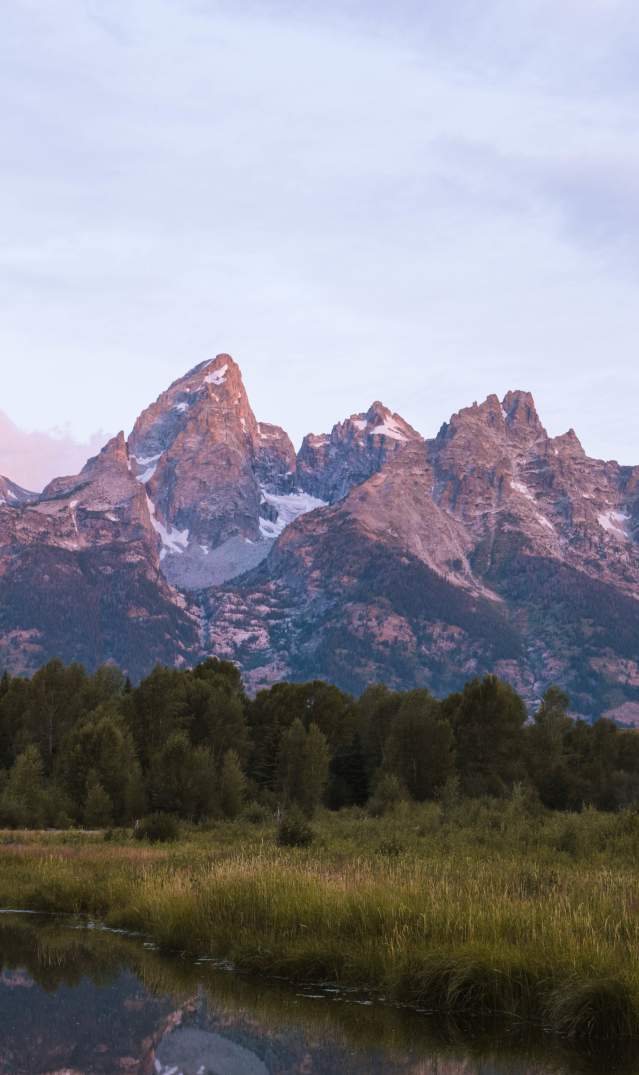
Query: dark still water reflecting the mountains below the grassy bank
x,y
83,1001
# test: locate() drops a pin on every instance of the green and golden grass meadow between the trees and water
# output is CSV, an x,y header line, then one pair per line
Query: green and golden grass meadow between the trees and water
x,y
476,911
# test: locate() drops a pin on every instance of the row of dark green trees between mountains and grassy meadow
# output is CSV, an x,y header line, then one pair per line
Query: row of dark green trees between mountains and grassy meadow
x,y
94,751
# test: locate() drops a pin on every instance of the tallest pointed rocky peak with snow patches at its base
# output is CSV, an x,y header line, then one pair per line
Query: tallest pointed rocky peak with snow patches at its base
x,y
214,477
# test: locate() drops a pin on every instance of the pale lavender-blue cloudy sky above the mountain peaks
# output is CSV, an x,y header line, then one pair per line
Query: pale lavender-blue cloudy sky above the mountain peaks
x,y
420,203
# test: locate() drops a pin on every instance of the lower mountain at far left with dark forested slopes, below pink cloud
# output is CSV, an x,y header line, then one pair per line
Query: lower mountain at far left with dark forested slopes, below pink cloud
x,y
80,579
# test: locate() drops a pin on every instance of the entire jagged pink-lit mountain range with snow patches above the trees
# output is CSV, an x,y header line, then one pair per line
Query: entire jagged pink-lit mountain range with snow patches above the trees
x,y
372,555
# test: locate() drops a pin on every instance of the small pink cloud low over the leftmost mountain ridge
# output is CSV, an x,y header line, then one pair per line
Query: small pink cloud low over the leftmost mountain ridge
x,y
34,460
